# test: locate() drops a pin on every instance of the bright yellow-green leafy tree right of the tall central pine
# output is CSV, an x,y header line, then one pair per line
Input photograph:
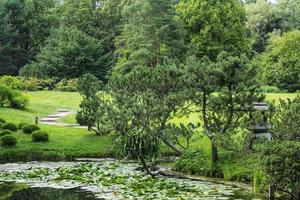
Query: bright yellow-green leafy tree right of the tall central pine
x,y
214,26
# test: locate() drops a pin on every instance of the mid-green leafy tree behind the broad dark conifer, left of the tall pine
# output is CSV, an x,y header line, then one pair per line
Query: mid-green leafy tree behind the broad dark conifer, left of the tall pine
x,y
99,19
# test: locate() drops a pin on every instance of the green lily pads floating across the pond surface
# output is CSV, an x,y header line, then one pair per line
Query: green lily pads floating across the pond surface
x,y
121,180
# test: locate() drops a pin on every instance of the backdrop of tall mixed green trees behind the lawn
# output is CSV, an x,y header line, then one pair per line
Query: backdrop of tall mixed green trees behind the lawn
x,y
65,39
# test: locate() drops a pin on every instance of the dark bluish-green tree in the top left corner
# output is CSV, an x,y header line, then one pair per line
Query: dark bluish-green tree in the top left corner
x,y
28,23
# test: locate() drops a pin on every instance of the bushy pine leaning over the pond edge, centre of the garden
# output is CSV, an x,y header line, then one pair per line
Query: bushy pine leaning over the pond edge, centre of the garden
x,y
144,102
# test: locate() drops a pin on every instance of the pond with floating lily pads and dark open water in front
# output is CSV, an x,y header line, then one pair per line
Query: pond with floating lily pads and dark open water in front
x,y
103,179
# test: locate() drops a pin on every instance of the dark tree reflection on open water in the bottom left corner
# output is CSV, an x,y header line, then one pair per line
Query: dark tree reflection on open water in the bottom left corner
x,y
19,192
